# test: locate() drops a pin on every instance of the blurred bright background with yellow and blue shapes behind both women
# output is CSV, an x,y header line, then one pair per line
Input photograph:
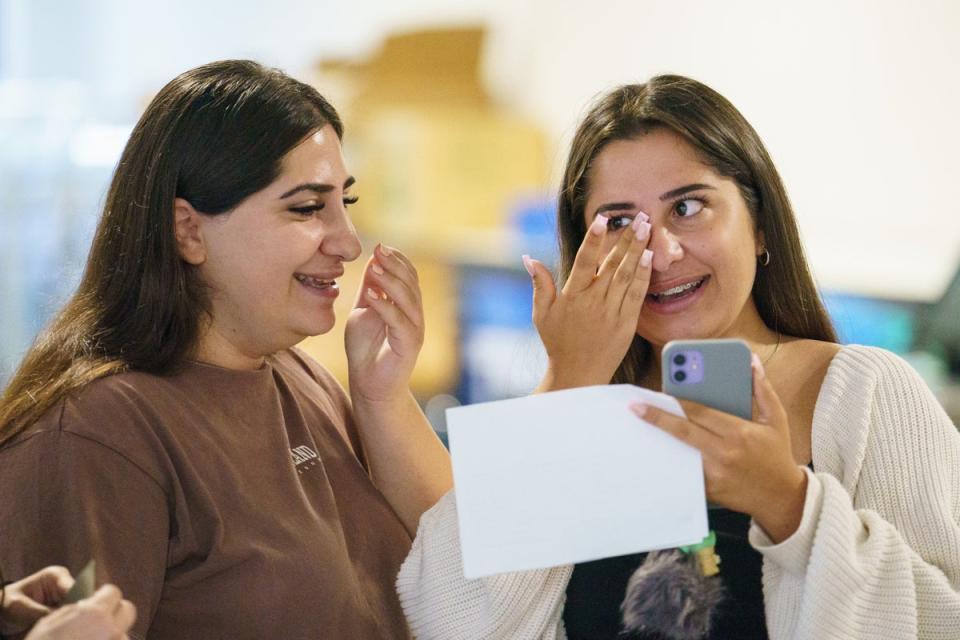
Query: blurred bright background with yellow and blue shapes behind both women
x,y
458,117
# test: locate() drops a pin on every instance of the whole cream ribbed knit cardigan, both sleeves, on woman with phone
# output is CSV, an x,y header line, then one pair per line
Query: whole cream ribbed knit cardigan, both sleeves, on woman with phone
x,y
877,553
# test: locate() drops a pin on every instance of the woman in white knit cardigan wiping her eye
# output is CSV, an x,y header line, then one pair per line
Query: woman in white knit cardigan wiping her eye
x,y
674,224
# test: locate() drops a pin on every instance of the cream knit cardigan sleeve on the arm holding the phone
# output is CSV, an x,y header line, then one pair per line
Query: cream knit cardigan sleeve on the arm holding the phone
x,y
877,553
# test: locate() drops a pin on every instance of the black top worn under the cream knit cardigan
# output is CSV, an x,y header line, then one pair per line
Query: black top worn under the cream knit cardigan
x,y
596,589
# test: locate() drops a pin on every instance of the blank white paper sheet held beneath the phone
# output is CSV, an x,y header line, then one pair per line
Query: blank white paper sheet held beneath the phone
x,y
570,476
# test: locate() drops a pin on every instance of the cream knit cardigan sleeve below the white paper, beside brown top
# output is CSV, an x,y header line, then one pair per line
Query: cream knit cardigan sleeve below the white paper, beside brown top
x,y
440,604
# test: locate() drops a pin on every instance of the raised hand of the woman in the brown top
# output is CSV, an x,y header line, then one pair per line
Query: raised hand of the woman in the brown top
x,y
385,330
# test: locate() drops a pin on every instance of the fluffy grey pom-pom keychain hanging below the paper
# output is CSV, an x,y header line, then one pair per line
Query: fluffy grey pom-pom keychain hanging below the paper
x,y
675,592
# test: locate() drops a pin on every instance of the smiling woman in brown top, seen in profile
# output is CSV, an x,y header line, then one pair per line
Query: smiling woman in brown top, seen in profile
x,y
165,425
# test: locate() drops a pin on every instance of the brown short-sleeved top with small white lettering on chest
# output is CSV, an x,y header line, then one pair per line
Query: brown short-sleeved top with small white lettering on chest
x,y
225,504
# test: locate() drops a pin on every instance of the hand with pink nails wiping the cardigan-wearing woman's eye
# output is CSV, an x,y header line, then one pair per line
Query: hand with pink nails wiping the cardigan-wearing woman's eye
x,y
588,326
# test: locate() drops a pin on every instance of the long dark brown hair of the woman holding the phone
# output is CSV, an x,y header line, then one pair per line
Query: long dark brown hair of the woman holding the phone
x,y
783,291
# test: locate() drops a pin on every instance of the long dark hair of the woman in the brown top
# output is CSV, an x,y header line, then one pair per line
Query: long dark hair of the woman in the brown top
x,y
212,136
